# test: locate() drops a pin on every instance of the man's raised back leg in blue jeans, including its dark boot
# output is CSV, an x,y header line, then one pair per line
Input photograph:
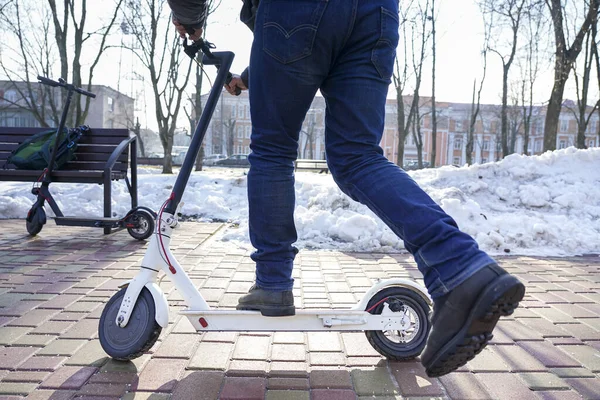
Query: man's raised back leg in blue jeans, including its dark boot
x,y
470,292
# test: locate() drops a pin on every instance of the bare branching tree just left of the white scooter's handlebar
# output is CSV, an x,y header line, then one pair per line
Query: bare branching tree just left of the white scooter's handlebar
x,y
158,48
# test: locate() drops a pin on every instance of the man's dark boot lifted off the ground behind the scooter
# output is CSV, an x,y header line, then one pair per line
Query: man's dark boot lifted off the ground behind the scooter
x,y
463,320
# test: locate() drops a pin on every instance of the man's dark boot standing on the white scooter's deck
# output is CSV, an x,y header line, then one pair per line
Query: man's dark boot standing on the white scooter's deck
x,y
270,303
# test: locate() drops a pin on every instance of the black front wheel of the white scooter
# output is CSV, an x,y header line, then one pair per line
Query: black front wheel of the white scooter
x,y
140,333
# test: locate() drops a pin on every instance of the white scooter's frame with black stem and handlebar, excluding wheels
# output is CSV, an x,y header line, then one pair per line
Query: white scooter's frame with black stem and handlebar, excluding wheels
x,y
159,257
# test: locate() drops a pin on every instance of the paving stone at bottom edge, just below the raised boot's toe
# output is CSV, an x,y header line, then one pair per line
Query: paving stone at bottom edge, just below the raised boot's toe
x,y
413,381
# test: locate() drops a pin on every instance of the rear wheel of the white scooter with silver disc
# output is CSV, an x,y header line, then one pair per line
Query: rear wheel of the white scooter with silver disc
x,y
408,342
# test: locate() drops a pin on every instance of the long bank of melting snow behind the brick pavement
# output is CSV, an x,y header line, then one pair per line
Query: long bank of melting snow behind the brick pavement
x,y
547,205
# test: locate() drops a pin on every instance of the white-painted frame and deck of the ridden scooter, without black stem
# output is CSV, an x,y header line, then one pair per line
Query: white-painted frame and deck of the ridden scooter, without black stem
x,y
159,257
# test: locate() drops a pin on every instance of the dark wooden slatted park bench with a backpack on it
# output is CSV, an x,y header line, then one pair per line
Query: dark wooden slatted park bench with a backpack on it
x,y
103,156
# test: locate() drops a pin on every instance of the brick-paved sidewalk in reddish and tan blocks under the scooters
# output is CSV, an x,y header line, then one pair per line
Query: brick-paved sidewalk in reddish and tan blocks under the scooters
x,y
53,287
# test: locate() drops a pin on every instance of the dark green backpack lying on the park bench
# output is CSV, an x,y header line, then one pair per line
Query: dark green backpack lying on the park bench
x,y
35,152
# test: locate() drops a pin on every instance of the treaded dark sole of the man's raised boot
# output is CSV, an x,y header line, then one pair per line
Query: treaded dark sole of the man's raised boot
x,y
500,298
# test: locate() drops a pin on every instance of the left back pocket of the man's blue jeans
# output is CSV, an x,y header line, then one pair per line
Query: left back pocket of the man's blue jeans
x,y
290,27
